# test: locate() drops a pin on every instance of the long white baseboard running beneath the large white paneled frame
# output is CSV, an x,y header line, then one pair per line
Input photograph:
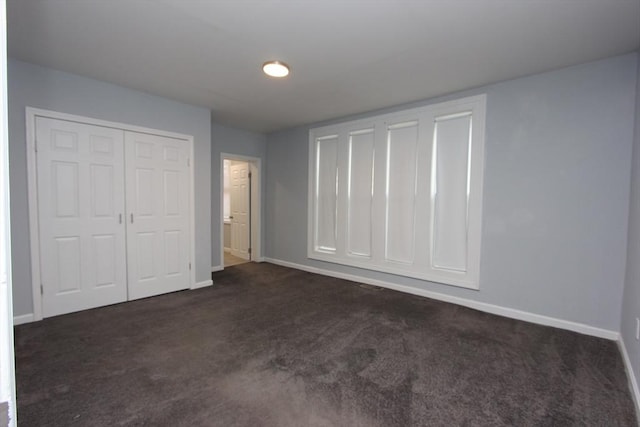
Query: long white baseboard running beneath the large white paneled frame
x,y
481,306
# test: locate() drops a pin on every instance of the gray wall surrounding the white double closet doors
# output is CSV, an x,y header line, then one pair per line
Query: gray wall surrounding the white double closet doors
x,y
30,85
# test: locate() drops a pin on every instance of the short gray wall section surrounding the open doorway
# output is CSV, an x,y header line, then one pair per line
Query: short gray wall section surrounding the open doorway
x,y
230,140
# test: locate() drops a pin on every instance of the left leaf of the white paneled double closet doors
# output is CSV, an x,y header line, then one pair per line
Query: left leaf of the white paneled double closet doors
x,y
80,209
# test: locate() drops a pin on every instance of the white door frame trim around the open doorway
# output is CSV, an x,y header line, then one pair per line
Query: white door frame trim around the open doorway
x,y
255,199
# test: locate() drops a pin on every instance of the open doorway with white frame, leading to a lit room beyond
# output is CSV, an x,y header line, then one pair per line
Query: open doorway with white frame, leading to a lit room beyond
x,y
240,210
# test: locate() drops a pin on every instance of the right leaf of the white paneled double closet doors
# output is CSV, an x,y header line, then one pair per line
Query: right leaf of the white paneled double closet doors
x,y
157,214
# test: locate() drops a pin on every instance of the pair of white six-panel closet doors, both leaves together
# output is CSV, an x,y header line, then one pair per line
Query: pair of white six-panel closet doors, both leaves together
x,y
113,215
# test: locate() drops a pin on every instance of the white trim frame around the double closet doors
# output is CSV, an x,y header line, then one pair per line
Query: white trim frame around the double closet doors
x,y
32,170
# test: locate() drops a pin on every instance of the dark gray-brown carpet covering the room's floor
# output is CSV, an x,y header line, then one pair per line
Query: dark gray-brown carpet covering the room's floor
x,y
271,346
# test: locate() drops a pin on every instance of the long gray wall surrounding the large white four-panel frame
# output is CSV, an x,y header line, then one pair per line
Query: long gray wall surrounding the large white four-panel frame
x,y
556,194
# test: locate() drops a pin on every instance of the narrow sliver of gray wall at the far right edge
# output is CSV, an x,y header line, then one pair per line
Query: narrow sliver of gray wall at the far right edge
x,y
631,299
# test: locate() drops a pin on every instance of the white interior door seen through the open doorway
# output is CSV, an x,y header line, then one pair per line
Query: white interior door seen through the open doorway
x,y
239,172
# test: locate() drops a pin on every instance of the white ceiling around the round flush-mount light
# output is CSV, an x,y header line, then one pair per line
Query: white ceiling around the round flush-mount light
x,y
346,56
